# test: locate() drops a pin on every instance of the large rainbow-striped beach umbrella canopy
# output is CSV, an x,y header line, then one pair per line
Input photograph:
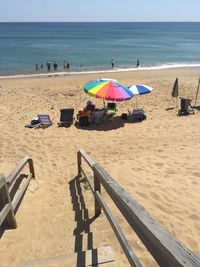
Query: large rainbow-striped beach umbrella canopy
x,y
108,89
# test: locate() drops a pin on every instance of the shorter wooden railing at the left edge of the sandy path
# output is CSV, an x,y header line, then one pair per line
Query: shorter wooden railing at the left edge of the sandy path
x,y
8,205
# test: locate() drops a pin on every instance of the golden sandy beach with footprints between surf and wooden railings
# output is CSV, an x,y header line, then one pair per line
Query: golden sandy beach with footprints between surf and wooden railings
x,y
156,161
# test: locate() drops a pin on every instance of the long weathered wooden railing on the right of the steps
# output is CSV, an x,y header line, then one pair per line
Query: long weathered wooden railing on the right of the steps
x,y
165,249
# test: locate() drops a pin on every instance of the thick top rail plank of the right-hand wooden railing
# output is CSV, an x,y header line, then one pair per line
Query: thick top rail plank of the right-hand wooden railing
x,y
166,250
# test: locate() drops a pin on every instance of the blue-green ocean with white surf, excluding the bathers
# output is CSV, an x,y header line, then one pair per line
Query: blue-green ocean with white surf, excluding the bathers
x,y
90,47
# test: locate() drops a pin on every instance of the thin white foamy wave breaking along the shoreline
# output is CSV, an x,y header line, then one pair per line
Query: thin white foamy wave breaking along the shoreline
x,y
82,72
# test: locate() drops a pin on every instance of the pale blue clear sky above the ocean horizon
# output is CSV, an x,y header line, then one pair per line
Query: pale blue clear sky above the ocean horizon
x,y
98,10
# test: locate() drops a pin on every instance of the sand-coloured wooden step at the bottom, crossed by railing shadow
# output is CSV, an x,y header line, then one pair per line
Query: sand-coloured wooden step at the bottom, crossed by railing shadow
x,y
94,257
